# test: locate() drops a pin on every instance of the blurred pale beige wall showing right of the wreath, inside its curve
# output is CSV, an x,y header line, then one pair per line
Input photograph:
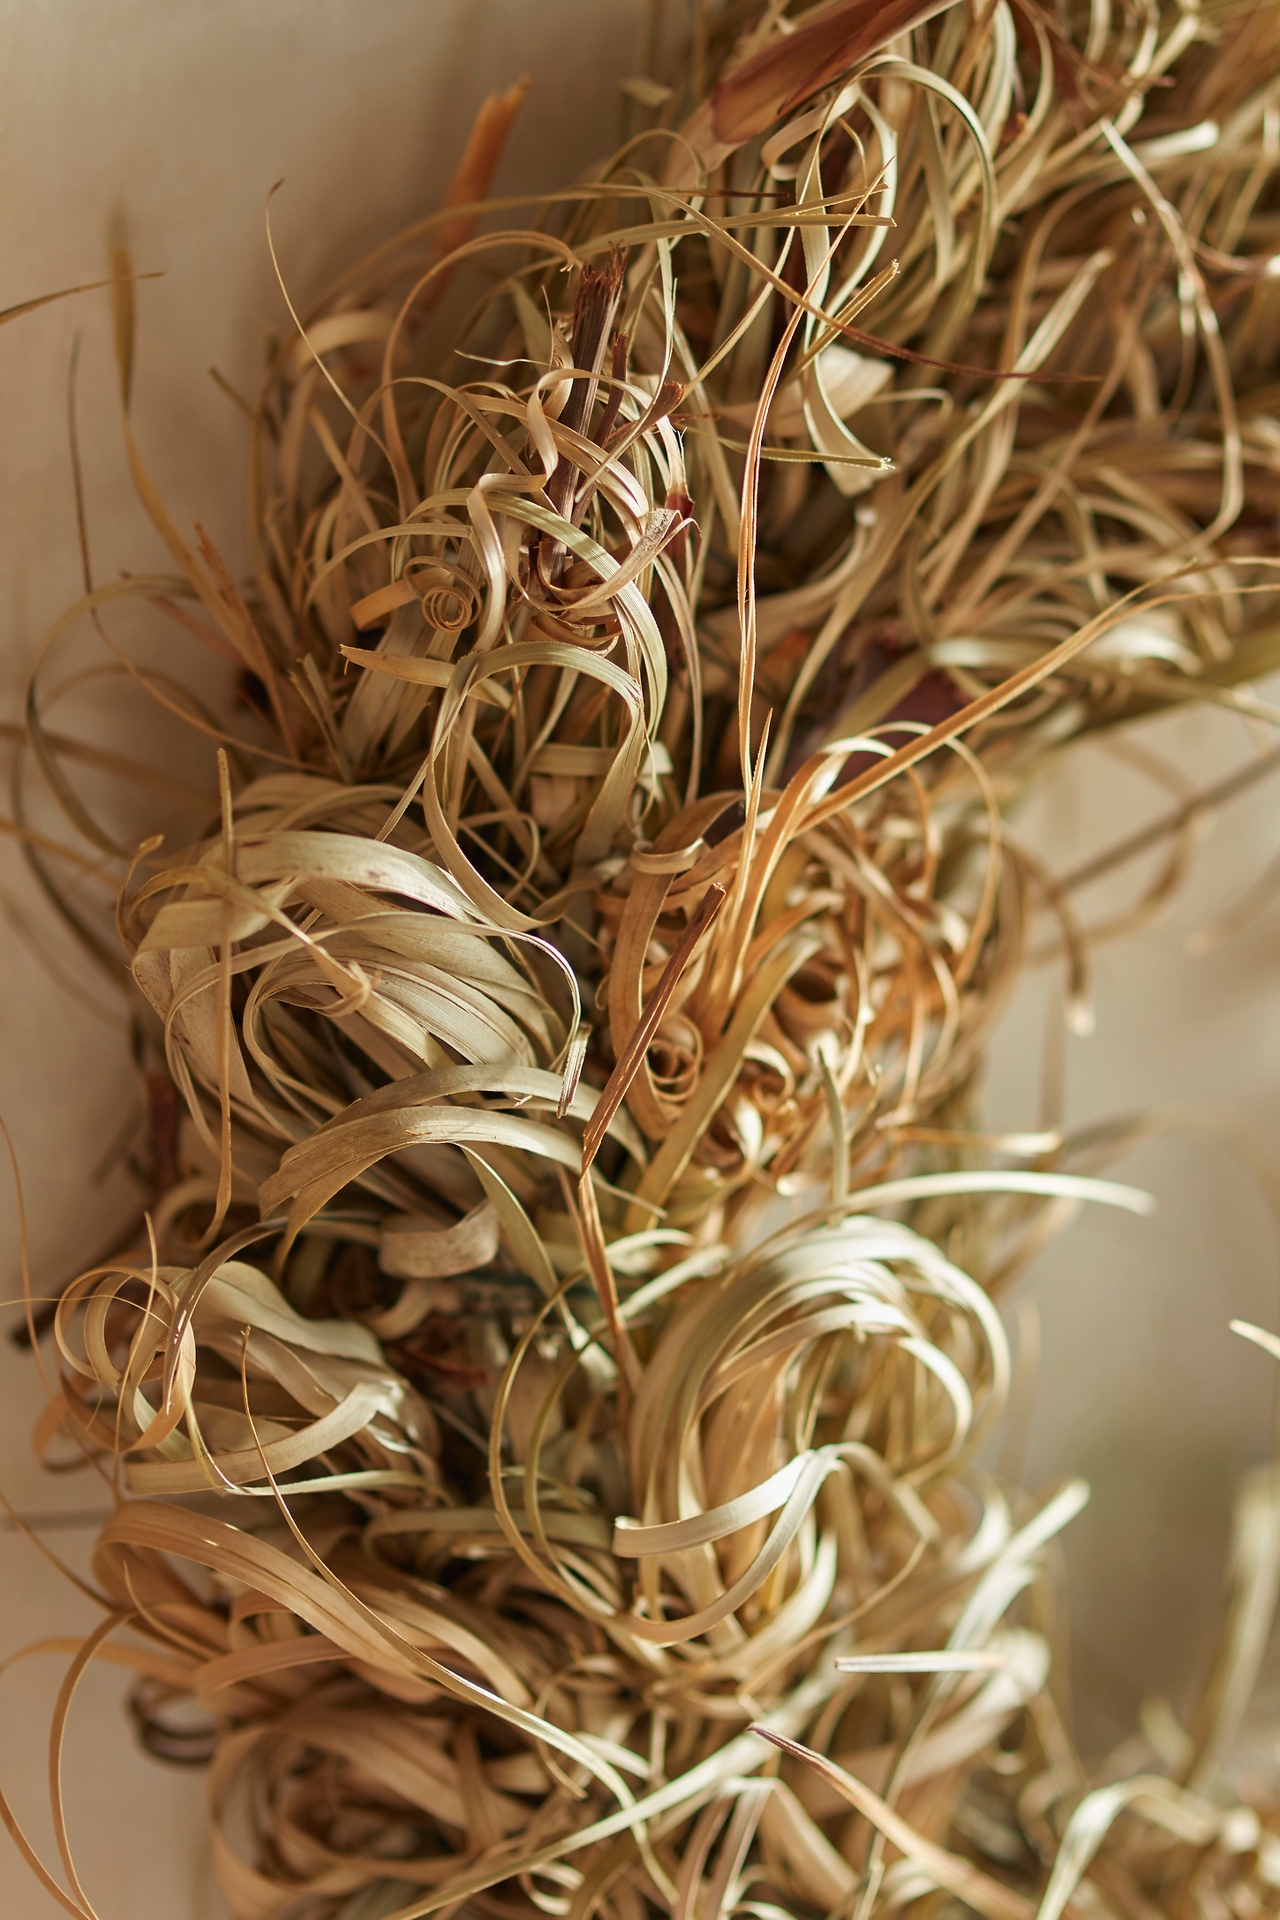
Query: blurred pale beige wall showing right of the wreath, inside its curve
x,y
1143,1387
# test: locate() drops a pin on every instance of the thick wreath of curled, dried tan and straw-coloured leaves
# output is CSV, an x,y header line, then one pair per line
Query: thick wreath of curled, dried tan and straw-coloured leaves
x,y
663,594
